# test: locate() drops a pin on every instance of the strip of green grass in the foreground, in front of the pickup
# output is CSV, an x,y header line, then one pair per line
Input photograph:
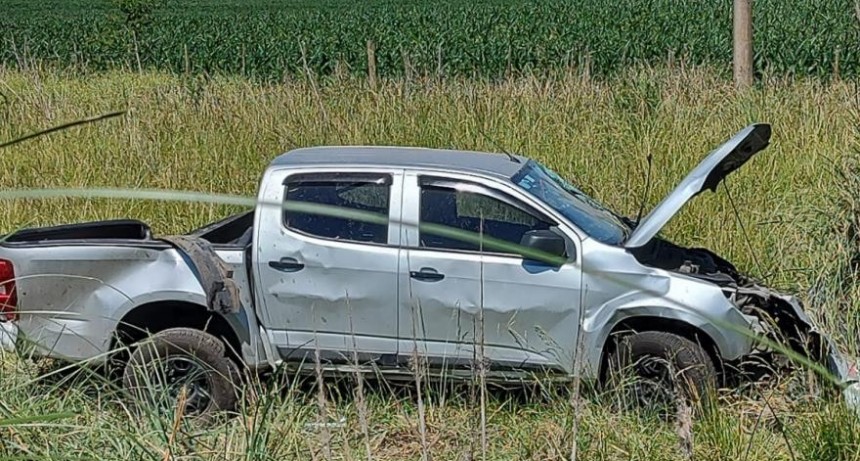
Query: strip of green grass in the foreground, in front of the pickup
x,y
278,420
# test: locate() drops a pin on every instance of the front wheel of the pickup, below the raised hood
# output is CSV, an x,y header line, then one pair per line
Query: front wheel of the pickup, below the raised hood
x,y
665,367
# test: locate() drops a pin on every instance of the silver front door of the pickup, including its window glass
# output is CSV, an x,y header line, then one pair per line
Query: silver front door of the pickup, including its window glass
x,y
458,294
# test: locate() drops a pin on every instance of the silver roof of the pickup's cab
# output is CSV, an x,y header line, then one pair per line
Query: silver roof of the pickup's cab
x,y
403,157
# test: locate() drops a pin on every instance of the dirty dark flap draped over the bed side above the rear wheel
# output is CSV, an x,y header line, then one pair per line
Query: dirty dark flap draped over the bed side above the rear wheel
x,y
215,276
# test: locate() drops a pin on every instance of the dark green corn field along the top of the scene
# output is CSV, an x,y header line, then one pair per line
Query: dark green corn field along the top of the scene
x,y
274,39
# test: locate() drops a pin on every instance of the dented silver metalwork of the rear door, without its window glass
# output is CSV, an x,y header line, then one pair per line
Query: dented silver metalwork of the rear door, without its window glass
x,y
326,293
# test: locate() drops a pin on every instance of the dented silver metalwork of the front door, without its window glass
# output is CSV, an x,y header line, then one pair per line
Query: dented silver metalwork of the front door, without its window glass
x,y
529,311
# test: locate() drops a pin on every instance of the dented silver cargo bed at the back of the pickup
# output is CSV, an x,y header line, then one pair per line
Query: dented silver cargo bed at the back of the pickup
x,y
76,282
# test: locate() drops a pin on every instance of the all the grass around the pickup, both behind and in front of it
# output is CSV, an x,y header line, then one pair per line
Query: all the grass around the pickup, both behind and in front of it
x,y
217,135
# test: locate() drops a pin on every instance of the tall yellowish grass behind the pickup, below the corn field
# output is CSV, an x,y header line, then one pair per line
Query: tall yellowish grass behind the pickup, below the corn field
x,y
218,136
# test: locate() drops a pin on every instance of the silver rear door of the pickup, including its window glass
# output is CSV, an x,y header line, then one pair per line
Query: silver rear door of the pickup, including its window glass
x,y
327,263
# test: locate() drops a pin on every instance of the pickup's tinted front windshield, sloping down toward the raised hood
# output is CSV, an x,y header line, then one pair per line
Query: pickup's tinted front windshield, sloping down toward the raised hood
x,y
583,211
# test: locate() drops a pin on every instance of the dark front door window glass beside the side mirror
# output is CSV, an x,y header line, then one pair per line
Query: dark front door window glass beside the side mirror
x,y
460,217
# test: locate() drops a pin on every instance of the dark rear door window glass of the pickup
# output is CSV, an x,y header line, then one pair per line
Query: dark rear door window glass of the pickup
x,y
351,207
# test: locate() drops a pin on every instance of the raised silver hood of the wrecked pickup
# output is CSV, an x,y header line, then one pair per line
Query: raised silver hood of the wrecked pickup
x,y
707,175
